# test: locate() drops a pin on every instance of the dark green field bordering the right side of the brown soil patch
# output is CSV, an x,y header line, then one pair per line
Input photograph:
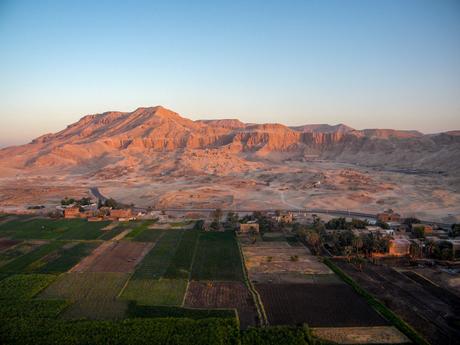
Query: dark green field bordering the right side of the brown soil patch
x,y
156,262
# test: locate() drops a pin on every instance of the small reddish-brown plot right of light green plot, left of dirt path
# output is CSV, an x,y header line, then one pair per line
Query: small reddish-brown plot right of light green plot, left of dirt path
x,y
223,295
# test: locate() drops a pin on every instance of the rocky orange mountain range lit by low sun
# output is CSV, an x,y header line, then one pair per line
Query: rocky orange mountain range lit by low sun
x,y
158,140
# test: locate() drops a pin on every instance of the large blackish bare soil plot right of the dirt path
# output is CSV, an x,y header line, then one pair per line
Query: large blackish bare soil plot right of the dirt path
x,y
323,305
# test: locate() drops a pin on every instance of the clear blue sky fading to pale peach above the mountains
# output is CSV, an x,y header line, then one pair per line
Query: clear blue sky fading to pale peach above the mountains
x,y
368,64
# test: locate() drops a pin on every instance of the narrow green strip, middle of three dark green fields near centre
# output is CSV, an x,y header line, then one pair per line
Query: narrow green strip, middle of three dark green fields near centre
x,y
181,262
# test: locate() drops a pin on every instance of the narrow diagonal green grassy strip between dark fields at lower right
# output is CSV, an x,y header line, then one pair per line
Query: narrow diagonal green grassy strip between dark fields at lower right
x,y
379,306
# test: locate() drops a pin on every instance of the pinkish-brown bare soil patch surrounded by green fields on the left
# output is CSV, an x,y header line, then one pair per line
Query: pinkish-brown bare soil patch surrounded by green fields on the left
x,y
114,257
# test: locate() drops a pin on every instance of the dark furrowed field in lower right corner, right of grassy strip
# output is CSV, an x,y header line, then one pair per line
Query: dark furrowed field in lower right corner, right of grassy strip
x,y
428,308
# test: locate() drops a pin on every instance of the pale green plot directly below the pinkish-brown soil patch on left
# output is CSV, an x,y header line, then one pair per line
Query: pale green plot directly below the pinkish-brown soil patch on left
x,y
94,295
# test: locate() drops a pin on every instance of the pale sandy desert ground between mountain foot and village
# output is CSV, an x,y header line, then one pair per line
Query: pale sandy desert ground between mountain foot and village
x,y
293,185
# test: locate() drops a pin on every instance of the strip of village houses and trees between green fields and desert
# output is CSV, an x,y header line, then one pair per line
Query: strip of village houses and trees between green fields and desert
x,y
398,236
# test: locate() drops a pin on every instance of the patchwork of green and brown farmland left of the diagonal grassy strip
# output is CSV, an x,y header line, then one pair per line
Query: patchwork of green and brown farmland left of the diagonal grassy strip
x,y
128,276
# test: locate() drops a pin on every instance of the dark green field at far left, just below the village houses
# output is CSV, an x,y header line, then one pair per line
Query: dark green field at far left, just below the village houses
x,y
47,229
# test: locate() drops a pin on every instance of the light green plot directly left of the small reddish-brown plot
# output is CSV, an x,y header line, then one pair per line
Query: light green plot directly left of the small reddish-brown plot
x,y
167,292
